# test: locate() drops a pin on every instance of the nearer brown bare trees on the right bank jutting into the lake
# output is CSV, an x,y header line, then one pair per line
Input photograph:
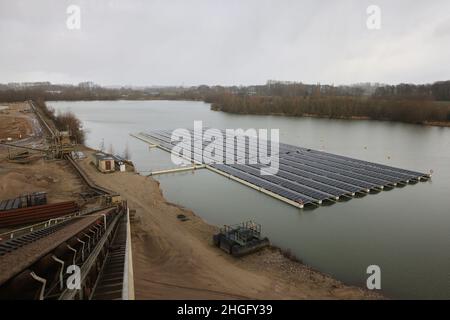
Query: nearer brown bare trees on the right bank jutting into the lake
x,y
402,110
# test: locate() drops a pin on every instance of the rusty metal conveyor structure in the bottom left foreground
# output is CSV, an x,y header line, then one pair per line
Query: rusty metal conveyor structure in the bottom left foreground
x,y
40,264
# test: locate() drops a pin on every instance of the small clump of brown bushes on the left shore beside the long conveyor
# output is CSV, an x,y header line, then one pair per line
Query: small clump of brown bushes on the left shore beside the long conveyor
x,y
65,121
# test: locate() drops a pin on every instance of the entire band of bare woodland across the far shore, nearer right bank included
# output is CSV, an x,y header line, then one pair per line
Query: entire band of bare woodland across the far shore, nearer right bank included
x,y
411,103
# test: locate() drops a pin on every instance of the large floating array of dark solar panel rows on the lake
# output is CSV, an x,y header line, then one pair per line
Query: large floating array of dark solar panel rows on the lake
x,y
304,177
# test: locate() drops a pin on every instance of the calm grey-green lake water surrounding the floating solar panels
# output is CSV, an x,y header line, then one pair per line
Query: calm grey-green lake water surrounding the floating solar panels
x,y
405,231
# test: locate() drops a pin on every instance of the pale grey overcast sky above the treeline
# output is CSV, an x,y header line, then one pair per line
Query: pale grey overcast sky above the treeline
x,y
190,42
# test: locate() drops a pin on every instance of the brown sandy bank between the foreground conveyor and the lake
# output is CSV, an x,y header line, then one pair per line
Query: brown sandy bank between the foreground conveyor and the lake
x,y
177,260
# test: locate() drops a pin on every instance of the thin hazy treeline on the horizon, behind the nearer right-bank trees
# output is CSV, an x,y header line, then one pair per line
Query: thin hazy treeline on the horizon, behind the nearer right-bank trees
x,y
438,91
